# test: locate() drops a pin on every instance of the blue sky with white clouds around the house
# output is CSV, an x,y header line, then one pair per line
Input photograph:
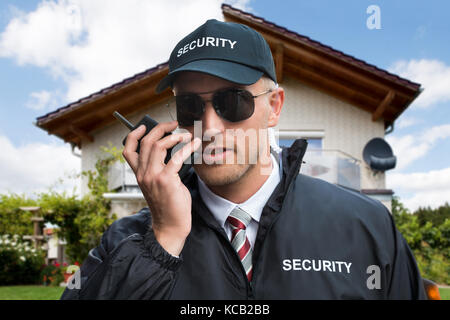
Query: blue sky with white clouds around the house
x,y
53,52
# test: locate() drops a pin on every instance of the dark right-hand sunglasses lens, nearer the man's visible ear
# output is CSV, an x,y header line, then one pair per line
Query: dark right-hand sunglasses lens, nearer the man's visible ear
x,y
234,104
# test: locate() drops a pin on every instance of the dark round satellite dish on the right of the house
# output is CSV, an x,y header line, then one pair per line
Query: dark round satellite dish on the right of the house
x,y
378,155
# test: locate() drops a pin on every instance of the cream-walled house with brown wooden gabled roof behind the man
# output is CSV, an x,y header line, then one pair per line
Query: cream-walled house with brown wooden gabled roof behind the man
x,y
336,101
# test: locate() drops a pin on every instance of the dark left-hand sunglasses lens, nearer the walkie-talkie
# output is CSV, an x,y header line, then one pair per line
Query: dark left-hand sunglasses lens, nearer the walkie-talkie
x,y
190,108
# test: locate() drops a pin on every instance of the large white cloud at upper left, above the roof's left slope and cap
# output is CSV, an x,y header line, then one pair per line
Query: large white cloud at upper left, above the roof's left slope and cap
x,y
92,44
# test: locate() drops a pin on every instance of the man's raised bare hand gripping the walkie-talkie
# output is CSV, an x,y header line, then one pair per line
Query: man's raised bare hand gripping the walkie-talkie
x,y
167,197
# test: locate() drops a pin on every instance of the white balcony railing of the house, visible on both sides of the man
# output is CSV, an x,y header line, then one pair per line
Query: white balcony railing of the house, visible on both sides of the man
x,y
333,166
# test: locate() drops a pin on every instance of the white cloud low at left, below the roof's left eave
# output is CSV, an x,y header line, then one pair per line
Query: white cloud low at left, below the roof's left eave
x,y
35,167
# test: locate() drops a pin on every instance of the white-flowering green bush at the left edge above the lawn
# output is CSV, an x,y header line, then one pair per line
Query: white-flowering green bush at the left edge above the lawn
x,y
19,262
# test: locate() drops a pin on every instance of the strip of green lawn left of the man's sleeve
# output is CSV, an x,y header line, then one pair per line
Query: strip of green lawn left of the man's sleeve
x,y
30,293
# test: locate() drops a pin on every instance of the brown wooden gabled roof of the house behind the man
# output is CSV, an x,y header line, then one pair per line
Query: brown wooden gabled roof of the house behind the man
x,y
383,94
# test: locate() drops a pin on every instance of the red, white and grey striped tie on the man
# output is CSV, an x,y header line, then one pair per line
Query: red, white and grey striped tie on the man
x,y
239,220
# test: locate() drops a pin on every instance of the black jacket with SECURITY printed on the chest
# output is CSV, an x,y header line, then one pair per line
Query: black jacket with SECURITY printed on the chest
x,y
315,241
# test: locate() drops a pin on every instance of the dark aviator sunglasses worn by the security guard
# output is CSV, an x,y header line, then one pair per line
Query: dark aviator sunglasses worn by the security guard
x,y
231,104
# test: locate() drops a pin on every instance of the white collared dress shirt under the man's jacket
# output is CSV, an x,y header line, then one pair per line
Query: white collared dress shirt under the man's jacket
x,y
221,207
